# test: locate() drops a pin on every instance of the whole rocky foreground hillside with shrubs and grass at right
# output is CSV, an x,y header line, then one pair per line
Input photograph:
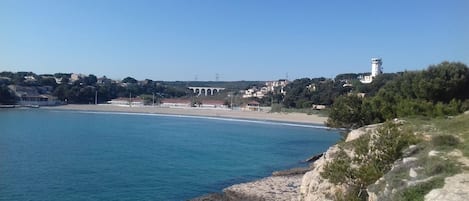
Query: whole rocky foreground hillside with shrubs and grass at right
x,y
411,159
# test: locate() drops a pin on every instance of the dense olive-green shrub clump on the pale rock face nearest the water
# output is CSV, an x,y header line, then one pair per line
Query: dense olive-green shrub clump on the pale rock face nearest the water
x,y
374,154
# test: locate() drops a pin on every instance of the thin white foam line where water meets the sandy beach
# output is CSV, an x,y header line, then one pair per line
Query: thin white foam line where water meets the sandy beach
x,y
268,122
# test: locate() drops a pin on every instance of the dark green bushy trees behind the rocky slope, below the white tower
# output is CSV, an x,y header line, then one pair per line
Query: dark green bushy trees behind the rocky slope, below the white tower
x,y
440,90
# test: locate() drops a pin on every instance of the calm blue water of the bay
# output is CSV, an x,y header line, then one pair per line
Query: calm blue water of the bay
x,y
65,155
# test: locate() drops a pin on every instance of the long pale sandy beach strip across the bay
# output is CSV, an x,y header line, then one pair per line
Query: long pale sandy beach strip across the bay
x,y
236,114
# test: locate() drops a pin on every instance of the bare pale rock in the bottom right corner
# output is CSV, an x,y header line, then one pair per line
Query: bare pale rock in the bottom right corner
x,y
455,189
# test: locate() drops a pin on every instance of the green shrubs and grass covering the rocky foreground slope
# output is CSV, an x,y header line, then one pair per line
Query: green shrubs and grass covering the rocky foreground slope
x,y
375,153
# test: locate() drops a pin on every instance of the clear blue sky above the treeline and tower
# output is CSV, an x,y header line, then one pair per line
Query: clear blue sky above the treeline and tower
x,y
238,39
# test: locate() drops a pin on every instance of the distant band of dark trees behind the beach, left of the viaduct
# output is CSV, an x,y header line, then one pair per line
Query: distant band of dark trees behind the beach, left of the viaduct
x,y
82,90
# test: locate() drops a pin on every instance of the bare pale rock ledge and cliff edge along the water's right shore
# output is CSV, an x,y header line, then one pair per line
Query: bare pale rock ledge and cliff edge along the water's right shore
x,y
289,185
